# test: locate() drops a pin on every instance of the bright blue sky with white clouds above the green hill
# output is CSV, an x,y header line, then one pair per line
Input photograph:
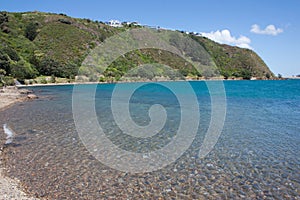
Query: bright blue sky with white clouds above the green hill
x,y
270,28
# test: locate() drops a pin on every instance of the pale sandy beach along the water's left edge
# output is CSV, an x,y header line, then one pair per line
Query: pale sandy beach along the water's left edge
x,y
10,188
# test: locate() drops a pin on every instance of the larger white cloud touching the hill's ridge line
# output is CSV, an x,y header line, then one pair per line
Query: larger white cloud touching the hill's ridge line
x,y
224,37
